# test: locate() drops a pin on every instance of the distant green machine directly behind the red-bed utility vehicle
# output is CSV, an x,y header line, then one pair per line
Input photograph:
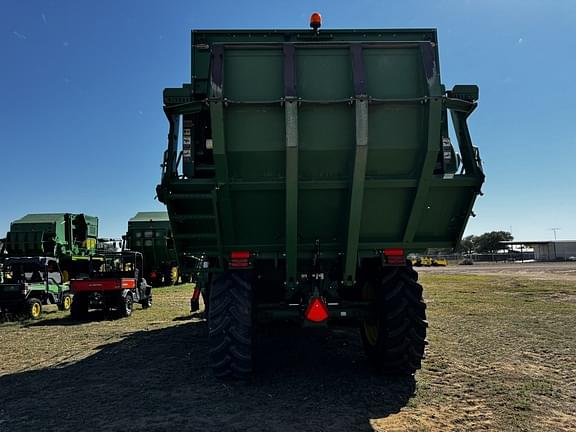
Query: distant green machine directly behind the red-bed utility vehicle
x,y
149,233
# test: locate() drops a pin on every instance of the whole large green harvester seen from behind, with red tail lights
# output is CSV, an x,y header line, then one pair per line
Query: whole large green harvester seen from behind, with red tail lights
x,y
302,167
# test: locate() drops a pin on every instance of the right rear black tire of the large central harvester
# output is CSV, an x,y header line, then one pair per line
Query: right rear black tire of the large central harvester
x,y
395,341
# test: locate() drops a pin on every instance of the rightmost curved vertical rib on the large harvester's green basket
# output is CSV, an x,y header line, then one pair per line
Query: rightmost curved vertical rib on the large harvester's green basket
x,y
433,141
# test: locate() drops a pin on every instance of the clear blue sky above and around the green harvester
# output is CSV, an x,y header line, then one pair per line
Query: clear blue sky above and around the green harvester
x,y
82,128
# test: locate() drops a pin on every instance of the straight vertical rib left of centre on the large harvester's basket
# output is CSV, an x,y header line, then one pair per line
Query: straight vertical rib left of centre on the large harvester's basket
x,y
291,121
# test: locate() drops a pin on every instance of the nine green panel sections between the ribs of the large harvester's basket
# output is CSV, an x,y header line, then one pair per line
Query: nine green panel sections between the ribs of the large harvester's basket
x,y
255,143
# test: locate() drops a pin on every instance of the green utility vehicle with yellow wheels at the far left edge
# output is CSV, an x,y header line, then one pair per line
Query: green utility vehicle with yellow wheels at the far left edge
x,y
28,283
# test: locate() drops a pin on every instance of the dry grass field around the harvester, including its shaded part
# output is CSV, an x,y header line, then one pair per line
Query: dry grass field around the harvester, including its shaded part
x,y
502,356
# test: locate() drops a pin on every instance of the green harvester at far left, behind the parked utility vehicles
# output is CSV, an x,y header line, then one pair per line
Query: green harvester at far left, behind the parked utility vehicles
x,y
69,237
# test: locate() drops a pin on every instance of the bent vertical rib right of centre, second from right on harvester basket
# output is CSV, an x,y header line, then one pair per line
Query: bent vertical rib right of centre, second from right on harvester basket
x,y
360,158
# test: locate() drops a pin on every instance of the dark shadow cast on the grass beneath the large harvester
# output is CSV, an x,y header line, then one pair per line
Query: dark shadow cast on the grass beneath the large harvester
x,y
160,380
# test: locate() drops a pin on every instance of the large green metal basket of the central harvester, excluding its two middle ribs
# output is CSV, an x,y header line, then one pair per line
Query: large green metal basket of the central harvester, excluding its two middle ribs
x,y
244,205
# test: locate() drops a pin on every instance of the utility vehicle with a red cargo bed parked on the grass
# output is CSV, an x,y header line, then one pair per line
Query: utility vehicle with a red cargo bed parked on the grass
x,y
115,281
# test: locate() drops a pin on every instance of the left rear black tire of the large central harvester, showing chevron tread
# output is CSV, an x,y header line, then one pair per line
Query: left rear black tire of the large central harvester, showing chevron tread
x,y
230,325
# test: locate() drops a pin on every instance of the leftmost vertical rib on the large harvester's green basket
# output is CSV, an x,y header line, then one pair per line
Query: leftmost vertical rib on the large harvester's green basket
x,y
219,142
